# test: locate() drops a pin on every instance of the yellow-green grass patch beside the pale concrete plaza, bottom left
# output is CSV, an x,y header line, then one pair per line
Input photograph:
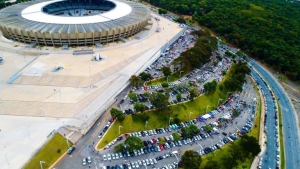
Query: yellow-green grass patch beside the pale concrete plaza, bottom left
x,y
49,153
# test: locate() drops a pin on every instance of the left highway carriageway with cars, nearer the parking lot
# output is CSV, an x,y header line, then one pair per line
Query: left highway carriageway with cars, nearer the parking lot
x,y
269,159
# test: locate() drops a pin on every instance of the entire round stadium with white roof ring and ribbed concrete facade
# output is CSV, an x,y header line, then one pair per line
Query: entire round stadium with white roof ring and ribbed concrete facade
x,y
73,22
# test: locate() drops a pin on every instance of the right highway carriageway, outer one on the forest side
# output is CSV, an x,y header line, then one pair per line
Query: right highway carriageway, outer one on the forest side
x,y
290,125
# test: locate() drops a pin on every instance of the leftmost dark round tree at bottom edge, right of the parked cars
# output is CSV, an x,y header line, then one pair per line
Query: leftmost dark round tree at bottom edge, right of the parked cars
x,y
191,160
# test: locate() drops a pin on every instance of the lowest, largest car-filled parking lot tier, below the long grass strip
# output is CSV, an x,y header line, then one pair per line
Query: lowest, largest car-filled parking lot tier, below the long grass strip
x,y
157,155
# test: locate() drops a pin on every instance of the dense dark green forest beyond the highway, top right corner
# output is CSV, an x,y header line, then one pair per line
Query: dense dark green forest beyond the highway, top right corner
x,y
265,30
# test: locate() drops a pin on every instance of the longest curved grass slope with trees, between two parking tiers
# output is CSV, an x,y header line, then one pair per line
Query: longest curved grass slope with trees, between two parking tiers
x,y
160,118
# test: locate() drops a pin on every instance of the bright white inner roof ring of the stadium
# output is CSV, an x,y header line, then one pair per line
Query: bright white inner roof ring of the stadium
x,y
35,13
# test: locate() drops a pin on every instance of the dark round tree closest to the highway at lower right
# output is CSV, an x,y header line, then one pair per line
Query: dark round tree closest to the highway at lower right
x,y
250,145
